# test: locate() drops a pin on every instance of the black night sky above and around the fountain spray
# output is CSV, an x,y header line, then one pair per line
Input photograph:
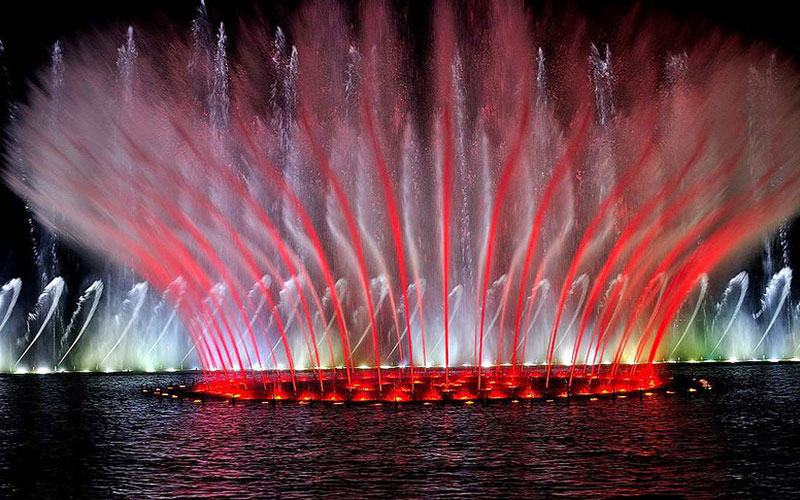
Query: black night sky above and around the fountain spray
x,y
29,28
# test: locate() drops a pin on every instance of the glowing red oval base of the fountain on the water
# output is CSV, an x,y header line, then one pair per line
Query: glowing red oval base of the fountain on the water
x,y
432,384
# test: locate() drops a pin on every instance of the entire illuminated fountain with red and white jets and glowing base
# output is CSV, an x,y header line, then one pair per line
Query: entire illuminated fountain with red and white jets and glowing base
x,y
344,212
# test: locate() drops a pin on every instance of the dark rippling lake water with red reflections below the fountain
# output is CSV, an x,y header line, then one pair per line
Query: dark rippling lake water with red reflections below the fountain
x,y
97,436
